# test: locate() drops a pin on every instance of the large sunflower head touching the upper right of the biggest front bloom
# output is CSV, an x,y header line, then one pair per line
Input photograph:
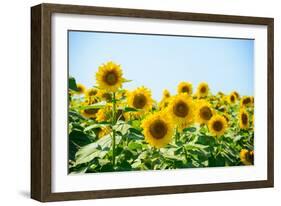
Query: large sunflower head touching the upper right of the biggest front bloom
x,y
181,109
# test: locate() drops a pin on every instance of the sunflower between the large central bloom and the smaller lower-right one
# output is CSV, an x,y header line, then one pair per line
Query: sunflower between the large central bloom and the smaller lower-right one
x,y
204,112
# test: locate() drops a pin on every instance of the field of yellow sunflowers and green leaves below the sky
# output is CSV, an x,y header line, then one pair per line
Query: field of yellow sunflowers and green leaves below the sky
x,y
113,129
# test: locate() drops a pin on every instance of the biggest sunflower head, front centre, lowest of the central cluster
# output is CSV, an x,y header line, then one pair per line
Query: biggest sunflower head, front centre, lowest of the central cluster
x,y
158,129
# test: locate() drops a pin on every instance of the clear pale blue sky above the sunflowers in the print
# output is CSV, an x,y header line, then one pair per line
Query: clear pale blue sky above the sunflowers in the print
x,y
160,62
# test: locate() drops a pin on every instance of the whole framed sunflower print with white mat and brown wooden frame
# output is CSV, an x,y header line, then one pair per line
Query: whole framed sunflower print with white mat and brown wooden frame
x,y
130,102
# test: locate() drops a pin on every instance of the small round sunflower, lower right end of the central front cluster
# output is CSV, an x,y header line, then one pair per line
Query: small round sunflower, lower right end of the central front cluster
x,y
217,125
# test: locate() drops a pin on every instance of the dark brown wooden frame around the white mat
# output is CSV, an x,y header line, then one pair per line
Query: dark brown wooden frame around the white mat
x,y
41,101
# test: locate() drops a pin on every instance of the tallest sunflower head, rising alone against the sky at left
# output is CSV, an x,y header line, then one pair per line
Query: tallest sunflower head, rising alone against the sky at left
x,y
109,77
